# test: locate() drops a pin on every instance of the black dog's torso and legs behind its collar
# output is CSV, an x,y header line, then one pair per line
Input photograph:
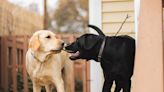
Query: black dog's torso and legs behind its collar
x,y
118,62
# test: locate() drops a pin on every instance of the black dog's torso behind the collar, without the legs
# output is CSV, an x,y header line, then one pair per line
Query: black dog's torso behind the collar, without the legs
x,y
118,57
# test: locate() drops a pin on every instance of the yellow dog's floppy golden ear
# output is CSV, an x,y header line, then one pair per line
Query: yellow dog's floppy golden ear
x,y
34,43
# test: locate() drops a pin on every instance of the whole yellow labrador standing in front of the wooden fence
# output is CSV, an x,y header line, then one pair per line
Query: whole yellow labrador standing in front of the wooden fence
x,y
46,63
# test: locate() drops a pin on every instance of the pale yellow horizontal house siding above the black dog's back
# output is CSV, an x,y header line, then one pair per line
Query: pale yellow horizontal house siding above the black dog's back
x,y
114,13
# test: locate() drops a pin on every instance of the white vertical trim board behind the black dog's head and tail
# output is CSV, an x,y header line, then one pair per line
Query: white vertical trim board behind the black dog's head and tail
x,y
95,18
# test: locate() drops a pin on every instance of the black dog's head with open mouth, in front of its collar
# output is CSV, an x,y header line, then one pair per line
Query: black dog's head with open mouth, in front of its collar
x,y
85,47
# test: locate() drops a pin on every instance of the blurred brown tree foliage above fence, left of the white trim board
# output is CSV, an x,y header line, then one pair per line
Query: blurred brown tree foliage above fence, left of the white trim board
x,y
70,16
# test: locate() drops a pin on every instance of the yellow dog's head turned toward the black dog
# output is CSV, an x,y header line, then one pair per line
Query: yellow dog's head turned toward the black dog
x,y
45,41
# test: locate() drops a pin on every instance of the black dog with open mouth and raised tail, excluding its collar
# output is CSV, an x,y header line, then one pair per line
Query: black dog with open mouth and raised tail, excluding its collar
x,y
117,58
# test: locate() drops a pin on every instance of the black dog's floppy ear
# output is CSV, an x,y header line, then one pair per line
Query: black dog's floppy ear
x,y
89,41
